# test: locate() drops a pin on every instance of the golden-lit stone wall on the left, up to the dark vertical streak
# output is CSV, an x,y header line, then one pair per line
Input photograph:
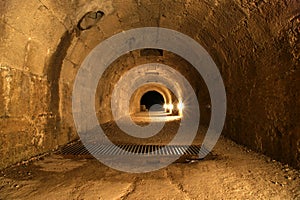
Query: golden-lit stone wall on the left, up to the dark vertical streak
x,y
29,124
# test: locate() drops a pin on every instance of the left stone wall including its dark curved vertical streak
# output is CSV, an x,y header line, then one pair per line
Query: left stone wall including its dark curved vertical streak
x,y
35,37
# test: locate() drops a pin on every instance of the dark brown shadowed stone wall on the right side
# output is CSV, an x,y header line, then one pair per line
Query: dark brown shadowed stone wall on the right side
x,y
263,81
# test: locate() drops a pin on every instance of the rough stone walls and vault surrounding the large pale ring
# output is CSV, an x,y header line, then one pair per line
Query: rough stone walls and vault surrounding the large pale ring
x,y
254,43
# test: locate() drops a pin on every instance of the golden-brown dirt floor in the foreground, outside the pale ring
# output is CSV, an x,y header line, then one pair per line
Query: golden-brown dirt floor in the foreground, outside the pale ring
x,y
229,172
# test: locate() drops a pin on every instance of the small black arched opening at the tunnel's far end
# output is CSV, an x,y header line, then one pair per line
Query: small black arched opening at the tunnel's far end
x,y
152,98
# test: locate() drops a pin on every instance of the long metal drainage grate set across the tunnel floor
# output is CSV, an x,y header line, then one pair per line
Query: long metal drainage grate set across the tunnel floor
x,y
110,150
